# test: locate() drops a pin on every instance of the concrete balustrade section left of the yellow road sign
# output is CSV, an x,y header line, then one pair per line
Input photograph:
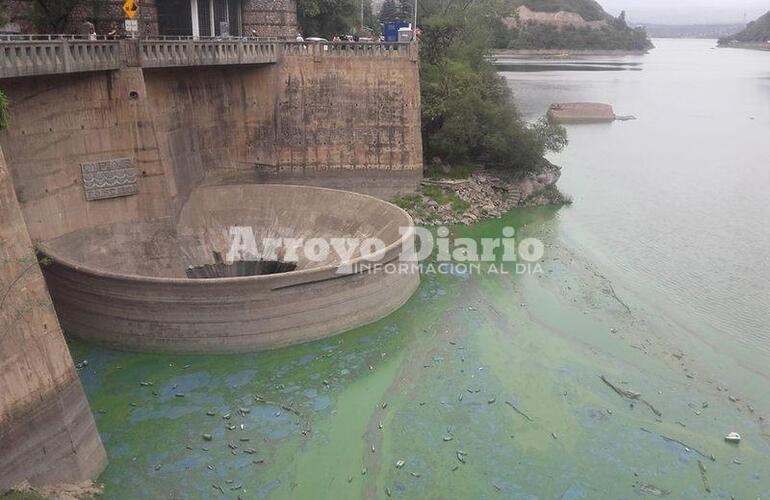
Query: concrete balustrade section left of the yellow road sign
x,y
62,55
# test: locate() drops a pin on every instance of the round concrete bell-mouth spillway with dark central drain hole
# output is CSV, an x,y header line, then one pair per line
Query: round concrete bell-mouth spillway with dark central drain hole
x,y
166,284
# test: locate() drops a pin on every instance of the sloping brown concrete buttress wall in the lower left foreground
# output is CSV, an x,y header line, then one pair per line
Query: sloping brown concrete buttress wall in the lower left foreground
x,y
47,432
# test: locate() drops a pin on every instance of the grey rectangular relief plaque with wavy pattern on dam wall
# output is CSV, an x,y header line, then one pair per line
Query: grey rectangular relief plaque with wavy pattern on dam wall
x,y
109,179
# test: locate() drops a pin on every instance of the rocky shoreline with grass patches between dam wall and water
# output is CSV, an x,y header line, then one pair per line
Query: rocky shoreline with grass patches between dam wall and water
x,y
486,194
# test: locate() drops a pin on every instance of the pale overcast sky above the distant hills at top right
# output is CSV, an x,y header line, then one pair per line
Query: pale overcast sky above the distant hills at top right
x,y
688,11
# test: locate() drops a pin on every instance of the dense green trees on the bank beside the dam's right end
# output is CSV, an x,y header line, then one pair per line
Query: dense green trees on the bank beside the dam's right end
x,y
468,113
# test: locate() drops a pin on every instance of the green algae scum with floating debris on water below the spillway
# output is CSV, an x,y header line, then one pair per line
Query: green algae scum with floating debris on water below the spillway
x,y
481,386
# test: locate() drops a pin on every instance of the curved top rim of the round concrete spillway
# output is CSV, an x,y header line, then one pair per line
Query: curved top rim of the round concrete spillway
x,y
50,253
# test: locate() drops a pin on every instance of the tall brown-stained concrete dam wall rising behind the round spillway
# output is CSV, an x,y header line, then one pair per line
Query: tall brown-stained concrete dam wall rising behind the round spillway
x,y
346,119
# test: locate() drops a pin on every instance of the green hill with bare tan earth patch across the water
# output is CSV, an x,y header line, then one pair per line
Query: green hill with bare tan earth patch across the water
x,y
568,25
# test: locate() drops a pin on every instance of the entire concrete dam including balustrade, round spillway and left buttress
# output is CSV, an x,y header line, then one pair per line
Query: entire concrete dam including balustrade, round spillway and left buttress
x,y
126,162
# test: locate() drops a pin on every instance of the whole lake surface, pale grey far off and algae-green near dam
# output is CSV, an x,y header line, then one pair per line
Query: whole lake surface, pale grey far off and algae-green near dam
x,y
488,385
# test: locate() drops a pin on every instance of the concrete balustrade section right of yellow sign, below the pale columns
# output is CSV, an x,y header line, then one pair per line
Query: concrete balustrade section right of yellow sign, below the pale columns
x,y
168,53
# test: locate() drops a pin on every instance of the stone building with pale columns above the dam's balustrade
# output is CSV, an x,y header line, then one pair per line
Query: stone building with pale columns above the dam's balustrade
x,y
198,18
